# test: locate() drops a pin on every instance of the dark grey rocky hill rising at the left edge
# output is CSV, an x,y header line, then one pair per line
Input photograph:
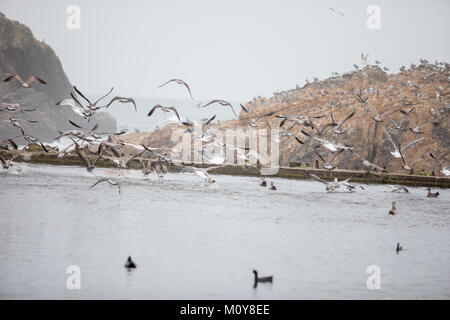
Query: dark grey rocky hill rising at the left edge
x,y
21,53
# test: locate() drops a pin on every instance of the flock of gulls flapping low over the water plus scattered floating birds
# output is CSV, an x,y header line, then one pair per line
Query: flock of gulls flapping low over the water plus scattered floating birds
x,y
90,145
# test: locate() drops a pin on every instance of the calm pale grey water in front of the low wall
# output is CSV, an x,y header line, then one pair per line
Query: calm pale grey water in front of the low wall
x,y
195,240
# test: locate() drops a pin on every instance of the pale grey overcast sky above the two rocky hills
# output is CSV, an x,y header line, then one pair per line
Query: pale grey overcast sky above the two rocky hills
x,y
230,49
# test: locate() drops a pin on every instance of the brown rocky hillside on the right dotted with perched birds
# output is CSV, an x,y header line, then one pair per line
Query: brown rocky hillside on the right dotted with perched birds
x,y
424,87
